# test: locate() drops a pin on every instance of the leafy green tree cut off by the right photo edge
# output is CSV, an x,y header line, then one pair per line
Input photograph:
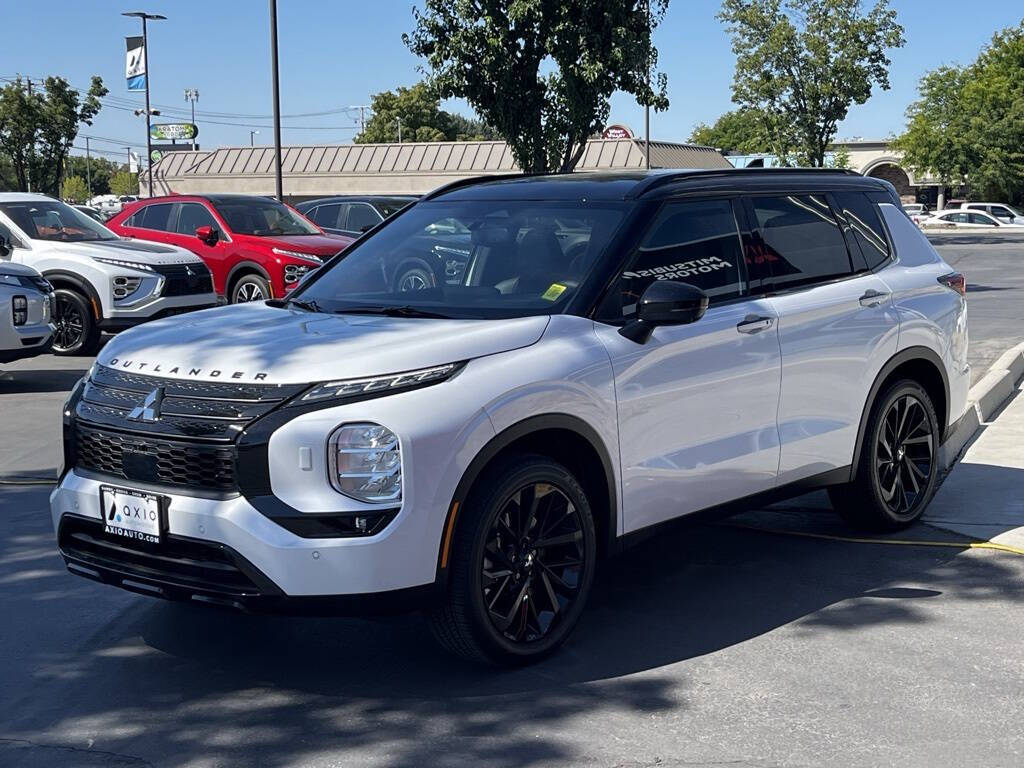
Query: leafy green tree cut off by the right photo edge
x,y
968,125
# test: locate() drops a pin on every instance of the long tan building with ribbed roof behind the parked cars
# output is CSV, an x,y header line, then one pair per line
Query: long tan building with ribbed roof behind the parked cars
x,y
413,168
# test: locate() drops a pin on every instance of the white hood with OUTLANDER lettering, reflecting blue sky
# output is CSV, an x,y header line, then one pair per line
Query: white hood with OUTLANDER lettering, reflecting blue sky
x,y
261,344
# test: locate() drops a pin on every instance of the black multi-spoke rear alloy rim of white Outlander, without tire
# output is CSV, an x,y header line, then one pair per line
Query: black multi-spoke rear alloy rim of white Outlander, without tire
x,y
904,456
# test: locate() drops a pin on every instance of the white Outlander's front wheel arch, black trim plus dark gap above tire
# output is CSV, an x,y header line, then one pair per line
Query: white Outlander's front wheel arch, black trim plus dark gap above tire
x,y
568,440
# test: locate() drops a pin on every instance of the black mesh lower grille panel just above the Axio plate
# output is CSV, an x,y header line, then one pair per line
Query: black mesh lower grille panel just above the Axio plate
x,y
153,460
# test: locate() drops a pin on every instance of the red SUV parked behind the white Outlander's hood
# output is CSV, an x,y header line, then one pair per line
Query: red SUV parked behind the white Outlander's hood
x,y
257,248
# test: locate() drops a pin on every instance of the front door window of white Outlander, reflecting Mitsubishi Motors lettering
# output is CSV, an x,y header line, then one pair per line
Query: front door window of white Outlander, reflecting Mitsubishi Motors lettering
x,y
693,242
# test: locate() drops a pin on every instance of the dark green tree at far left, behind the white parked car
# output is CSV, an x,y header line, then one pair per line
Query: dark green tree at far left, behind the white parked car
x,y
37,130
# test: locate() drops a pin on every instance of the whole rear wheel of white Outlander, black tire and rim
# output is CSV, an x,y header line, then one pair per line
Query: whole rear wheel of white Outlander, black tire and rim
x,y
899,467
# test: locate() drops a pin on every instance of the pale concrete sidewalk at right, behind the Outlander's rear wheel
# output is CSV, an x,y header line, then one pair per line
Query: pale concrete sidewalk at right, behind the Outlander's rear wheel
x,y
984,496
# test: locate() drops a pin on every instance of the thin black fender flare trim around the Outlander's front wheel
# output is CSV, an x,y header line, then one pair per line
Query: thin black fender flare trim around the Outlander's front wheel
x,y
505,439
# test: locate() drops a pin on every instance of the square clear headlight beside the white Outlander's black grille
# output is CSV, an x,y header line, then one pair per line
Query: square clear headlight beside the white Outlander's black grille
x,y
366,463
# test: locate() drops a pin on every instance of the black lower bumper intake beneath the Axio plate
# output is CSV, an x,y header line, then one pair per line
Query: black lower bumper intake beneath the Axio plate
x,y
179,568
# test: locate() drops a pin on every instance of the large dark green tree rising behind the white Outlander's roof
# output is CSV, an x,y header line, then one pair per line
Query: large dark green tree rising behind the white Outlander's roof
x,y
541,72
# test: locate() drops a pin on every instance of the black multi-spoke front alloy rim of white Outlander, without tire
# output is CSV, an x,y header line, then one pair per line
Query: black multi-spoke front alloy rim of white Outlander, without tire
x,y
533,563
